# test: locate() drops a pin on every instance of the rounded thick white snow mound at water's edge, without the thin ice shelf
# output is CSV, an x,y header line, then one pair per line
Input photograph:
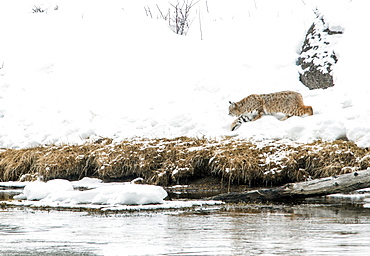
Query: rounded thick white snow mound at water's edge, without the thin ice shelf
x,y
62,191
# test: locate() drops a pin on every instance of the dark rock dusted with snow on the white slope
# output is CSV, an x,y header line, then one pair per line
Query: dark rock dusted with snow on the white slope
x,y
317,56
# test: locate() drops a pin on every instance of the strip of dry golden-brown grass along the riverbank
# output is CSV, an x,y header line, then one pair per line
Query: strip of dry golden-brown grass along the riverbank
x,y
186,160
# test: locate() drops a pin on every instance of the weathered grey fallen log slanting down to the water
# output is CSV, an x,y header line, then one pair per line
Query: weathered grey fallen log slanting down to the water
x,y
292,191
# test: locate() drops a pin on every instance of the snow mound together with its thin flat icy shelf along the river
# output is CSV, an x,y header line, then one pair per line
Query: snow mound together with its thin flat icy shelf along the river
x,y
93,194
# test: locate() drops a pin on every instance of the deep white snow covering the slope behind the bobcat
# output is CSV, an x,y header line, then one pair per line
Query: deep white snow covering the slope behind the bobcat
x,y
86,69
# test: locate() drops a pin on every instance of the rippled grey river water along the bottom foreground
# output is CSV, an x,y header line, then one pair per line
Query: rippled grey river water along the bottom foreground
x,y
305,229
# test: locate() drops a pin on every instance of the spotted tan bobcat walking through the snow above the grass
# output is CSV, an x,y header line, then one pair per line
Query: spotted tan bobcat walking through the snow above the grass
x,y
253,107
